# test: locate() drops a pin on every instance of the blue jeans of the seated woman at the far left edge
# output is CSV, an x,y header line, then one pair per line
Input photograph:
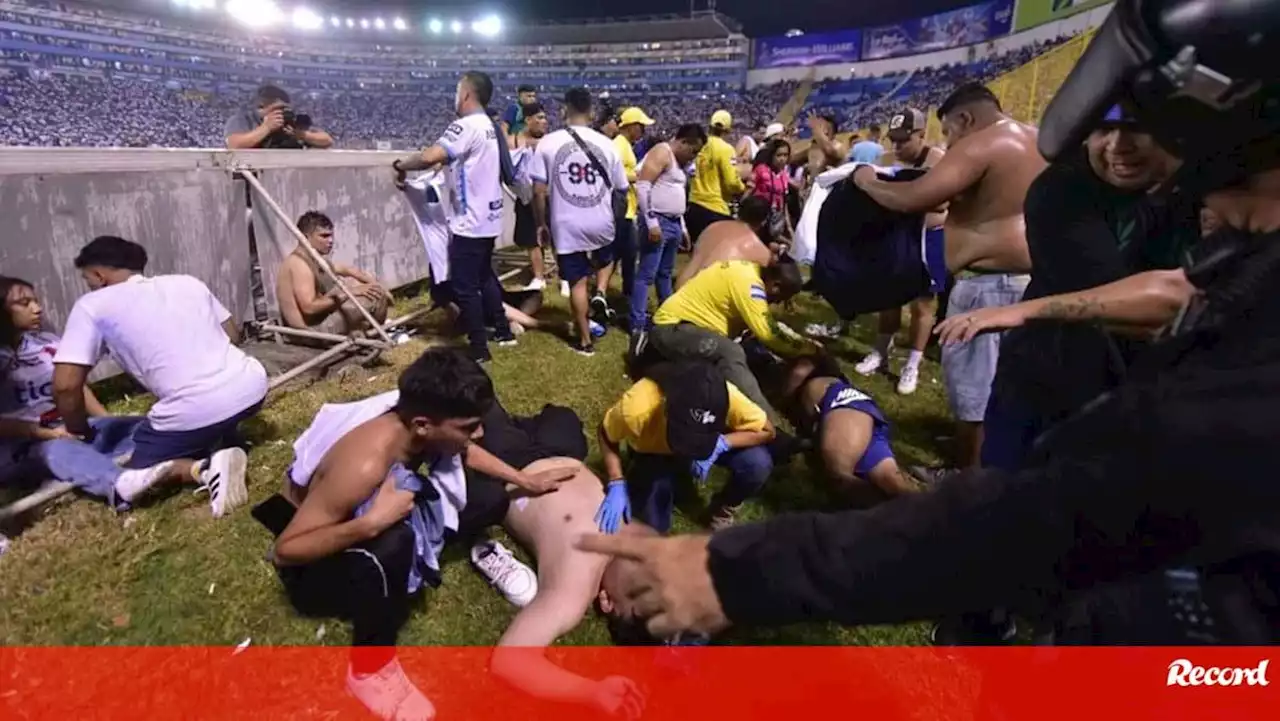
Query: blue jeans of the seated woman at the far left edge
x,y
89,467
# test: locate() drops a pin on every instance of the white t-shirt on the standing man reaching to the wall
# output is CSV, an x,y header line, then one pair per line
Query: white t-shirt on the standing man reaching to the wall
x,y
476,174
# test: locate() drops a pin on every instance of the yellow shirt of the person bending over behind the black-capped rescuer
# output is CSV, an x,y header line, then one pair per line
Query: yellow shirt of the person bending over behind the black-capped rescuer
x,y
729,298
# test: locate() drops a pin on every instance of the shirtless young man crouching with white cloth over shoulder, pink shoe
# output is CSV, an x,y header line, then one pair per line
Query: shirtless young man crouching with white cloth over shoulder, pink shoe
x,y
376,490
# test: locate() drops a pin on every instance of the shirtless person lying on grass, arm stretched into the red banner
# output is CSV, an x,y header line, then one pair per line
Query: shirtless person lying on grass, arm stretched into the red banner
x,y
569,581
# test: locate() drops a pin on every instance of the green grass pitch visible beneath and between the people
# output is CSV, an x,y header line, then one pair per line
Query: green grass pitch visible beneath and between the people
x,y
170,574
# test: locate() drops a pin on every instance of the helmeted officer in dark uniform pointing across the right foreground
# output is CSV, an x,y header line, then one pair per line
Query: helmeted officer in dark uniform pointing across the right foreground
x,y
1150,501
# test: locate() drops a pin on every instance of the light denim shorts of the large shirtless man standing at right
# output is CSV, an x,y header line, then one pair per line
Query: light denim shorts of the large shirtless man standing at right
x,y
970,369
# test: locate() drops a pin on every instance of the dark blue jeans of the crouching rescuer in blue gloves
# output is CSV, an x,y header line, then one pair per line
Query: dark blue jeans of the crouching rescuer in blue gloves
x,y
652,482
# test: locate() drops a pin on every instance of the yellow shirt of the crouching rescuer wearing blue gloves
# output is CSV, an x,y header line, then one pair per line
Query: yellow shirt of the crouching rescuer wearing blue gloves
x,y
639,419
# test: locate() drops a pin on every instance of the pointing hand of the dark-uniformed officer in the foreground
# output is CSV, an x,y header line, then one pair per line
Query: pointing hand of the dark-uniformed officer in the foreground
x,y
675,591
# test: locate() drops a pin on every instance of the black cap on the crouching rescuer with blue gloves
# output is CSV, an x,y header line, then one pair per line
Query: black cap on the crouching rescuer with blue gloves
x,y
697,399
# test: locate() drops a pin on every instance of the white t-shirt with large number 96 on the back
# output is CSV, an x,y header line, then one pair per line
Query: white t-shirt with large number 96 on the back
x,y
580,206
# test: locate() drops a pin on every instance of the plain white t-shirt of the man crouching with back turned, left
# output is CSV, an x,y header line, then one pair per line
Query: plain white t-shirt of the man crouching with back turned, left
x,y
167,334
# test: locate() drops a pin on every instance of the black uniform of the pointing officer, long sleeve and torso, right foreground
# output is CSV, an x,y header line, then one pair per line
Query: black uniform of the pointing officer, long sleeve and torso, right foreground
x,y
1176,468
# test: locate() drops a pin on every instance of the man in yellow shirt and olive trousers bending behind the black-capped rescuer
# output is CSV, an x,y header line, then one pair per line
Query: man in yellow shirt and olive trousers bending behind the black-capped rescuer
x,y
726,299
